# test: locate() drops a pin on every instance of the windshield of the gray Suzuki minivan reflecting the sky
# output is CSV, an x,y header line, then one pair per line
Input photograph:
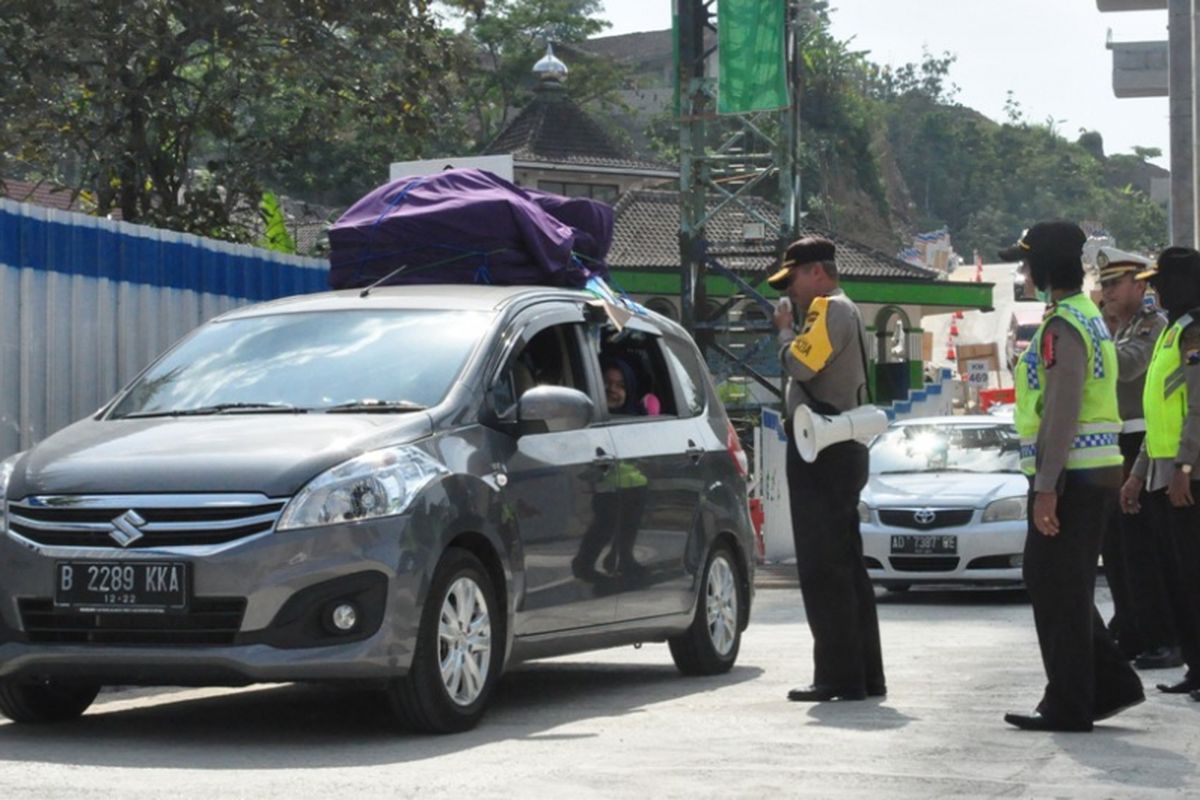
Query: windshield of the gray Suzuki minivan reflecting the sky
x,y
371,360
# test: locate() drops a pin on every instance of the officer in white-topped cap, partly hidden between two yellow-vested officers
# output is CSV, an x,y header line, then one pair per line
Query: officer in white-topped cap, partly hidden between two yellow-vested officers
x,y
1142,621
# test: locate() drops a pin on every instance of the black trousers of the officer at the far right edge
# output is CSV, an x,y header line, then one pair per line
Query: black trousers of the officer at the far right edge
x,y
1183,531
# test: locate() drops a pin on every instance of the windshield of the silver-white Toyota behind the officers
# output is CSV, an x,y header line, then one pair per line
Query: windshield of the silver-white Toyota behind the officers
x,y
934,448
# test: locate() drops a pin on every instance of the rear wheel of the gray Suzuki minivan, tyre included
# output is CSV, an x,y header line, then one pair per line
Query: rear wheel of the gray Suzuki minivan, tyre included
x,y
711,645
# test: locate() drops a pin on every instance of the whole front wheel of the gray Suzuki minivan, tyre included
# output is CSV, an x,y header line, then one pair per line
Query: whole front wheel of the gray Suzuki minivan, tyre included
x,y
459,651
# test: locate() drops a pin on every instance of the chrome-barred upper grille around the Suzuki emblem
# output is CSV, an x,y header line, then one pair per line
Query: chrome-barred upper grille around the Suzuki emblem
x,y
163,521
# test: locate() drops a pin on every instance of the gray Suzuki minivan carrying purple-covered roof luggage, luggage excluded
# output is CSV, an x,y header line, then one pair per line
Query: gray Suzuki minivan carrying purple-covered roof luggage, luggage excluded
x,y
409,486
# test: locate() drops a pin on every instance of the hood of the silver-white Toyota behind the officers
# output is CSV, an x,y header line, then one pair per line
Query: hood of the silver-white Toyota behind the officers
x,y
944,490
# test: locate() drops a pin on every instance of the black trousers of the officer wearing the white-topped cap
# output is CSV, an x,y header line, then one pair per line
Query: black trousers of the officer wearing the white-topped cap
x,y
1136,572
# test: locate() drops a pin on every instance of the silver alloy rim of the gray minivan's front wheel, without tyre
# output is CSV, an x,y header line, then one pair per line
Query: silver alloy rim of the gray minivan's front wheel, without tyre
x,y
465,641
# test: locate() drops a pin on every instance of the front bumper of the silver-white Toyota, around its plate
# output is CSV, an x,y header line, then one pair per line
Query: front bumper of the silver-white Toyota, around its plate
x,y
987,554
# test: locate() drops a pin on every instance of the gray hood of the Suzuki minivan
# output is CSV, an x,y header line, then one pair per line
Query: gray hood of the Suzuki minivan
x,y
272,454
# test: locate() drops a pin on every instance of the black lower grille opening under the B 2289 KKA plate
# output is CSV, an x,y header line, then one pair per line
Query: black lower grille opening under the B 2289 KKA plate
x,y
208,621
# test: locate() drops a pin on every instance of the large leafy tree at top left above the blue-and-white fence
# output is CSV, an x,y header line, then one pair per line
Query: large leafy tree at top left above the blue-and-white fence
x,y
178,112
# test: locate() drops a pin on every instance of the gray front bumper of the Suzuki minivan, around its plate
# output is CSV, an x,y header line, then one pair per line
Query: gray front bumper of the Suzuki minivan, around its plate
x,y
272,594
